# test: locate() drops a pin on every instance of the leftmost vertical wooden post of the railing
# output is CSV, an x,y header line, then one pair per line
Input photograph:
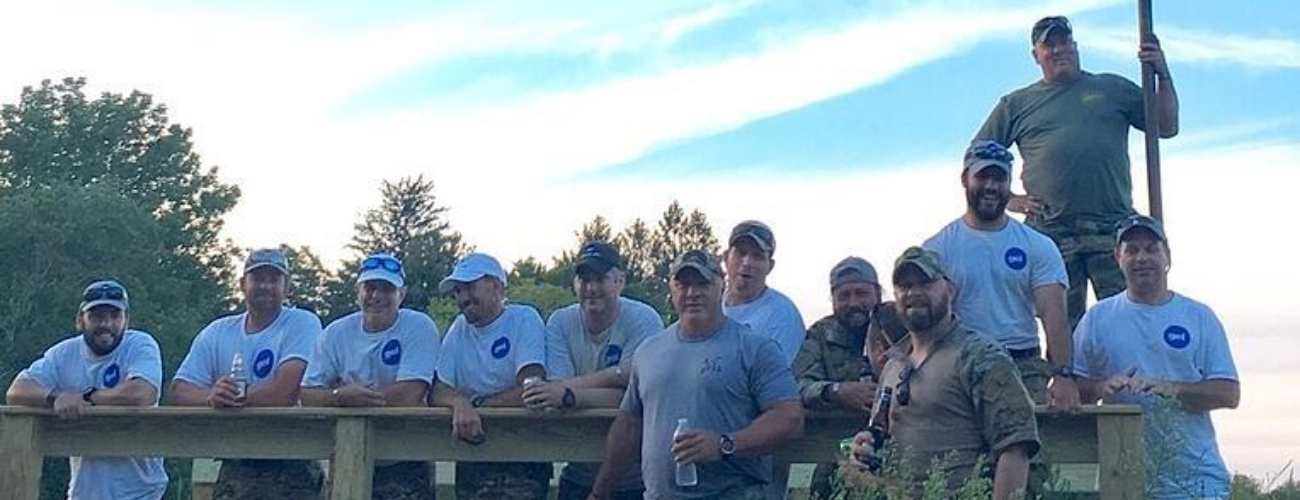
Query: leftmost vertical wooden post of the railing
x,y
20,456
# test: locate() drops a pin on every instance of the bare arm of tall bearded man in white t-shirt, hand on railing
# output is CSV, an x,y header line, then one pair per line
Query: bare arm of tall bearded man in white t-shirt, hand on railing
x,y
1050,303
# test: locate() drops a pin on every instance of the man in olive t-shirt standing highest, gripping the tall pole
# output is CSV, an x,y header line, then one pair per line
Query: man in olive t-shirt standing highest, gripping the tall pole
x,y
1073,132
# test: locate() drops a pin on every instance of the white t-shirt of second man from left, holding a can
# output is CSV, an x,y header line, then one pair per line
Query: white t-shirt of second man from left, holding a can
x,y
292,337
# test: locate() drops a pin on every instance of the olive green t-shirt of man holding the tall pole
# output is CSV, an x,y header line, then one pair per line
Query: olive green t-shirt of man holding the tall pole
x,y
1074,140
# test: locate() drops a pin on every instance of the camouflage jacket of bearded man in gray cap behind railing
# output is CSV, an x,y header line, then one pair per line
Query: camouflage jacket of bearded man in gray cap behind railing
x,y
830,354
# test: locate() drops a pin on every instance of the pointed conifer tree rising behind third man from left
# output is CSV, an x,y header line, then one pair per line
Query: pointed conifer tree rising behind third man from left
x,y
410,224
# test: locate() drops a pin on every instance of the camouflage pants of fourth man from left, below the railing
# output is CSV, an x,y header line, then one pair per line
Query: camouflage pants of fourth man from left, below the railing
x,y
504,481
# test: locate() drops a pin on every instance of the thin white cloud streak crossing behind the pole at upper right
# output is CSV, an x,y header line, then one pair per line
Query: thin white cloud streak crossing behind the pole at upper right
x,y
1203,47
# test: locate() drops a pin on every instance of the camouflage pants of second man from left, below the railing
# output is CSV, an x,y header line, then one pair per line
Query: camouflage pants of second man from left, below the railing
x,y
268,480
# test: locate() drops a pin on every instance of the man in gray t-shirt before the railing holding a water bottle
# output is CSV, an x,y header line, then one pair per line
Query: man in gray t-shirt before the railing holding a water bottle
x,y
712,372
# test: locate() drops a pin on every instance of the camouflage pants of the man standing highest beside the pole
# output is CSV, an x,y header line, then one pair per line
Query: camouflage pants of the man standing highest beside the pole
x,y
1089,251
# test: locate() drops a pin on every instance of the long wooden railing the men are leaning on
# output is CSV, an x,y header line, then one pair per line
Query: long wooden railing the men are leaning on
x,y
354,440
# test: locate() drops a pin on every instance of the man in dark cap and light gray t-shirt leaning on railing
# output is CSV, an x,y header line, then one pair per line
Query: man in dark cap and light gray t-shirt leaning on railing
x,y
590,349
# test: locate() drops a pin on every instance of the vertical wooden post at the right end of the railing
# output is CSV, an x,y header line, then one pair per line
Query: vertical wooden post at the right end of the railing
x,y
1121,456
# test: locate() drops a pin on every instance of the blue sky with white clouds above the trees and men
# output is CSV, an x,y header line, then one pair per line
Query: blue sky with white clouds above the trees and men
x,y
839,123
